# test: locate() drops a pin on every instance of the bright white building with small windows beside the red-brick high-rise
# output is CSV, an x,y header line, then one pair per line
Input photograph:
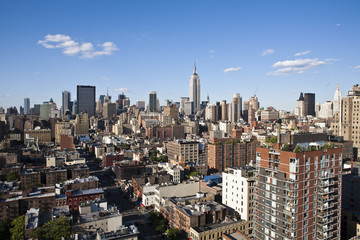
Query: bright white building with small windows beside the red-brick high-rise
x,y
237,190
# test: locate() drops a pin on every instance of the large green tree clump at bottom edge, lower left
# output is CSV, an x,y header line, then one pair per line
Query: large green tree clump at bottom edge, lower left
x,y
53,230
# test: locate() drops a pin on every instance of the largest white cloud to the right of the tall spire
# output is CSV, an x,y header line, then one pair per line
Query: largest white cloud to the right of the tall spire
x,y
295,66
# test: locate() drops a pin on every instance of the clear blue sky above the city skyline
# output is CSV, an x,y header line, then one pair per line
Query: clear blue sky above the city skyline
x,y
142,46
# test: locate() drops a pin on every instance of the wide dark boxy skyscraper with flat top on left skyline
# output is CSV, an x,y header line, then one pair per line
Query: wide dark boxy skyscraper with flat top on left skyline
x,y
86,99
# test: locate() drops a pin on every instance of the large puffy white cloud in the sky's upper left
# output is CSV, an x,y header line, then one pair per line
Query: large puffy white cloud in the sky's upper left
x,y
71,48
